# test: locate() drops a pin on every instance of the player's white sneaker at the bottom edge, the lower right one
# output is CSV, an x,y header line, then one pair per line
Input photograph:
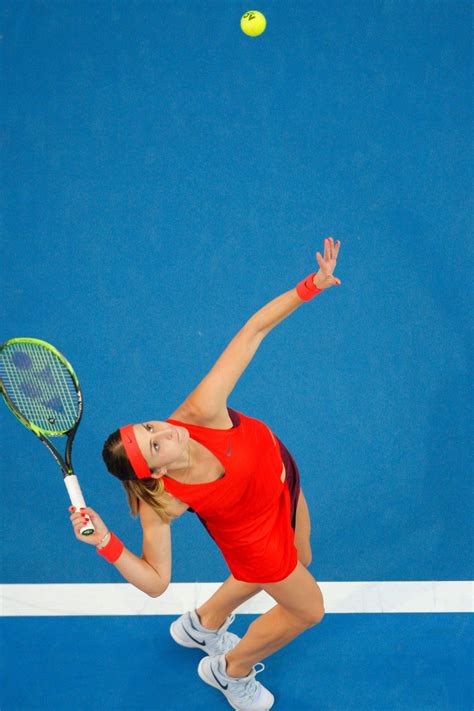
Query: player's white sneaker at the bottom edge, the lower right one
x,y
243,693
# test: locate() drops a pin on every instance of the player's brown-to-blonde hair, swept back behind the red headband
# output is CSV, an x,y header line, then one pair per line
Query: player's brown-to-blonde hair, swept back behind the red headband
x,y
151,491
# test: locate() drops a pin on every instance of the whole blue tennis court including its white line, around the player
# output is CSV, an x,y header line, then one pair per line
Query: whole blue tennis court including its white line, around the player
x,y
164,177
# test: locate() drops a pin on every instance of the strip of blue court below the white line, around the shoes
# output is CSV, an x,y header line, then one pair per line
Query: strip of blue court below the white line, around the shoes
x,y
348,662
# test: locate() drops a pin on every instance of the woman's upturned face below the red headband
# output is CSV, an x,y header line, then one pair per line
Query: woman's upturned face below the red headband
x,y
162,445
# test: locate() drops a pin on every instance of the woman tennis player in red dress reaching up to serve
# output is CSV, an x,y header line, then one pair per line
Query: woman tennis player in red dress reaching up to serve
x,y
239,478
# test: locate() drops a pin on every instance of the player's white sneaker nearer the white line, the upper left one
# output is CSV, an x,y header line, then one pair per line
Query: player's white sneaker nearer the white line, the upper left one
x,y
188,632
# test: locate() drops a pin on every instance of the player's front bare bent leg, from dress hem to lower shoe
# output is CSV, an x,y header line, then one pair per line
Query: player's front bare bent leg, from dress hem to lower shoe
x,y
300,606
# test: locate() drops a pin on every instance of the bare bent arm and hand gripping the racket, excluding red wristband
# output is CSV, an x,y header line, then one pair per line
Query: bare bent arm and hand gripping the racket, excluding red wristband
x,y
152,572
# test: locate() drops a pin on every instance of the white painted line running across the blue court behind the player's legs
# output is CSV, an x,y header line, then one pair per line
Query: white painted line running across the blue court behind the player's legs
x,y
125,599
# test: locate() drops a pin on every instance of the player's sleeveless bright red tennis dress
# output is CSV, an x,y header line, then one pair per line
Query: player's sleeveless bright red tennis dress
x,y
248,512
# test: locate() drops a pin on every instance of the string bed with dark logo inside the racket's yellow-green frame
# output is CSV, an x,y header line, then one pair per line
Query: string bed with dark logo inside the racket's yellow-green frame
x,y
40,386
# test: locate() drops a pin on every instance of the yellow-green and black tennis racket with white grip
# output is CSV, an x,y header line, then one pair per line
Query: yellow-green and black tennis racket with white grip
x,y
42,390
